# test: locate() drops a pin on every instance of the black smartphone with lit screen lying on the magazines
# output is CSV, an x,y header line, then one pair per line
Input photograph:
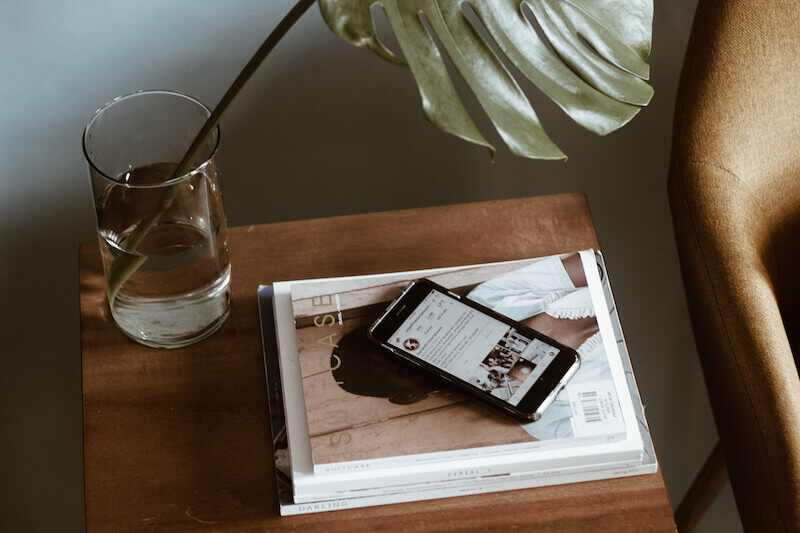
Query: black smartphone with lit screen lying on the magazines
x,y
496,359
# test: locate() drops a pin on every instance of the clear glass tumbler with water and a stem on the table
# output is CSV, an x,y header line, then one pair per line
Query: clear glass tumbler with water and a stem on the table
x,y
163,238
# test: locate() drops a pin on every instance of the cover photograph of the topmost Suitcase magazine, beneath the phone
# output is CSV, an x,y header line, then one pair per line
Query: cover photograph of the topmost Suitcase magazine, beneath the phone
x,y
363,403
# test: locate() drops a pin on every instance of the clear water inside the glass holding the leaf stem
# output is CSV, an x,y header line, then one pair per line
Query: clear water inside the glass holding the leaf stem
x,y
177,235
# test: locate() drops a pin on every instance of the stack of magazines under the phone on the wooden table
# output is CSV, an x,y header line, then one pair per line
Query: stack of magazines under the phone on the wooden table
x,y
354,426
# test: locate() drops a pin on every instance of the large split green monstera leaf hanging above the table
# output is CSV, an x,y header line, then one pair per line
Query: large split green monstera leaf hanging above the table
x,y
588,57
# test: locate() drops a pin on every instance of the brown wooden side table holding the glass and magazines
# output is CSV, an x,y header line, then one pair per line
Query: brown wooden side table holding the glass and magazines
x,y
178,440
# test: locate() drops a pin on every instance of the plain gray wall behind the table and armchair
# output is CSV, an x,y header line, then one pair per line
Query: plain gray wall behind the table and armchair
x,y
319,116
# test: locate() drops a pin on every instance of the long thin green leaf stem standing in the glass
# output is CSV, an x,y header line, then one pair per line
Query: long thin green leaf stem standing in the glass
x,y
122,267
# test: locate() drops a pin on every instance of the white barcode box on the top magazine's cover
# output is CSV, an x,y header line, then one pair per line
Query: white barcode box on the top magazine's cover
x,y
595,409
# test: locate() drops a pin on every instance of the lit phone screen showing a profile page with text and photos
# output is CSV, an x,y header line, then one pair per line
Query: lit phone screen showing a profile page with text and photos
x,y
474,347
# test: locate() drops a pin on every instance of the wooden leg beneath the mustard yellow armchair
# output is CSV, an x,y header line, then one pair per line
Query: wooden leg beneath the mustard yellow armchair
x,y
704,490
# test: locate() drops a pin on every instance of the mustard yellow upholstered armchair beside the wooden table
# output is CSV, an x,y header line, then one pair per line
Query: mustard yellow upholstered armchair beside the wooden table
x,y
734,190
